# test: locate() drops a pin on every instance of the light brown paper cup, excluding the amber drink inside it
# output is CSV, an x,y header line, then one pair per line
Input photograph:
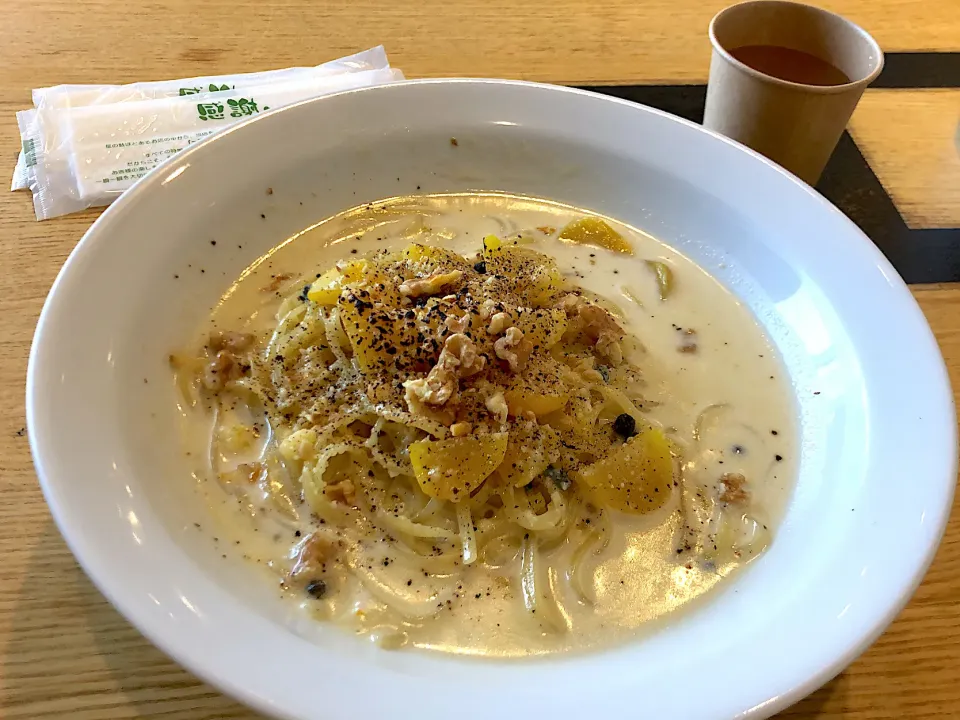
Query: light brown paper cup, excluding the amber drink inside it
x,y
794,124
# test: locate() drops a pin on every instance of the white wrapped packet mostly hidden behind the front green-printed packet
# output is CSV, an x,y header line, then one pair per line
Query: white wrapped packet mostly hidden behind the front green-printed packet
x,y
66,96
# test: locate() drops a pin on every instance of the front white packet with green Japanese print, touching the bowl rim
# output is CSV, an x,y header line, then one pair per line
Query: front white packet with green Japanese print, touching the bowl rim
x,y
101,150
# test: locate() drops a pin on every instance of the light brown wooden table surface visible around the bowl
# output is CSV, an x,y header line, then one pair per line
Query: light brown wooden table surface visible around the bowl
x,y
64,651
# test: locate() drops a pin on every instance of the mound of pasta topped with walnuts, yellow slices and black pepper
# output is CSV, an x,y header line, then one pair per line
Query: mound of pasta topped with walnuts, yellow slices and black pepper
x,y
432,427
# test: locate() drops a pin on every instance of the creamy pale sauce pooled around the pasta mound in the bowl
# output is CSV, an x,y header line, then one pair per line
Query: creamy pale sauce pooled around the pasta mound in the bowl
x,y
735,376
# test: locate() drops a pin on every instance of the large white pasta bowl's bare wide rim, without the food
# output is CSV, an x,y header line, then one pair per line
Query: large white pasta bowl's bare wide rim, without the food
x,y
876,417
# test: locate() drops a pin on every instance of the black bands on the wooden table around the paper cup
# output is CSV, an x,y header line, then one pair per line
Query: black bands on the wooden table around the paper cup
x,y
920,255
